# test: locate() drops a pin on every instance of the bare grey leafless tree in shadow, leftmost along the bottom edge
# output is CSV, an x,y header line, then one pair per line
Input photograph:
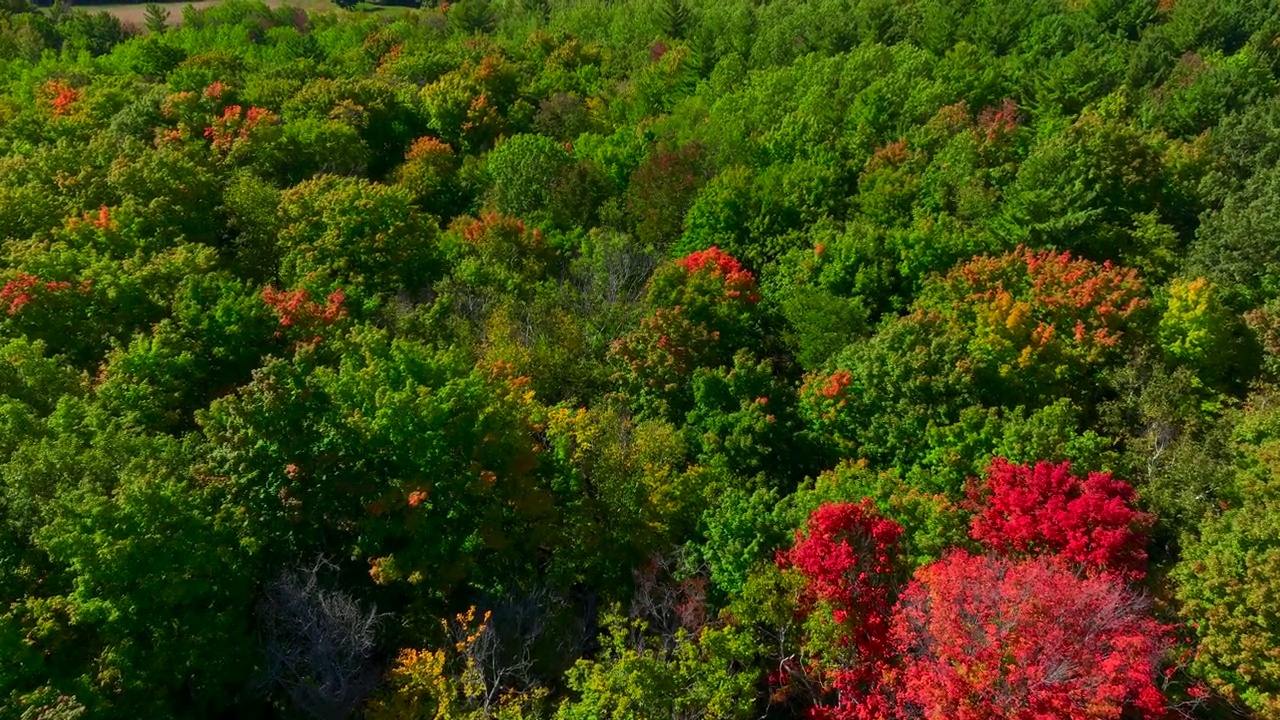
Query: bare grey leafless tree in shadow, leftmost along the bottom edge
x,y
319,642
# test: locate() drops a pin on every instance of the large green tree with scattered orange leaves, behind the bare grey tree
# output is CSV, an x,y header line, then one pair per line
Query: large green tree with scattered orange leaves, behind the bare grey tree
x,y
381,449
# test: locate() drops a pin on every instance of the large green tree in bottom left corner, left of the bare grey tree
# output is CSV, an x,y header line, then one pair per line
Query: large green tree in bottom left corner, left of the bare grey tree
x,y
149,595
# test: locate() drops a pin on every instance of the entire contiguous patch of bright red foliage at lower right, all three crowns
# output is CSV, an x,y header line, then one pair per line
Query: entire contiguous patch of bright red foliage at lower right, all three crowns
x,y
1013,636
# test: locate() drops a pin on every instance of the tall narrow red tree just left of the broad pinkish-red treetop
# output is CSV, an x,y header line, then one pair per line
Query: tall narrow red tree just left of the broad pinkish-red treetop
x,y
848,558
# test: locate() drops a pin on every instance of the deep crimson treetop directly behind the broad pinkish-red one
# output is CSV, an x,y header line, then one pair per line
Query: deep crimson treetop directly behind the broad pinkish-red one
x,y
1045,509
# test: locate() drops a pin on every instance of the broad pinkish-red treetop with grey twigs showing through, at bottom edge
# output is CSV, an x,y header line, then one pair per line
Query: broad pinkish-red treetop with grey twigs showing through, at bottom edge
x,y
988,639
